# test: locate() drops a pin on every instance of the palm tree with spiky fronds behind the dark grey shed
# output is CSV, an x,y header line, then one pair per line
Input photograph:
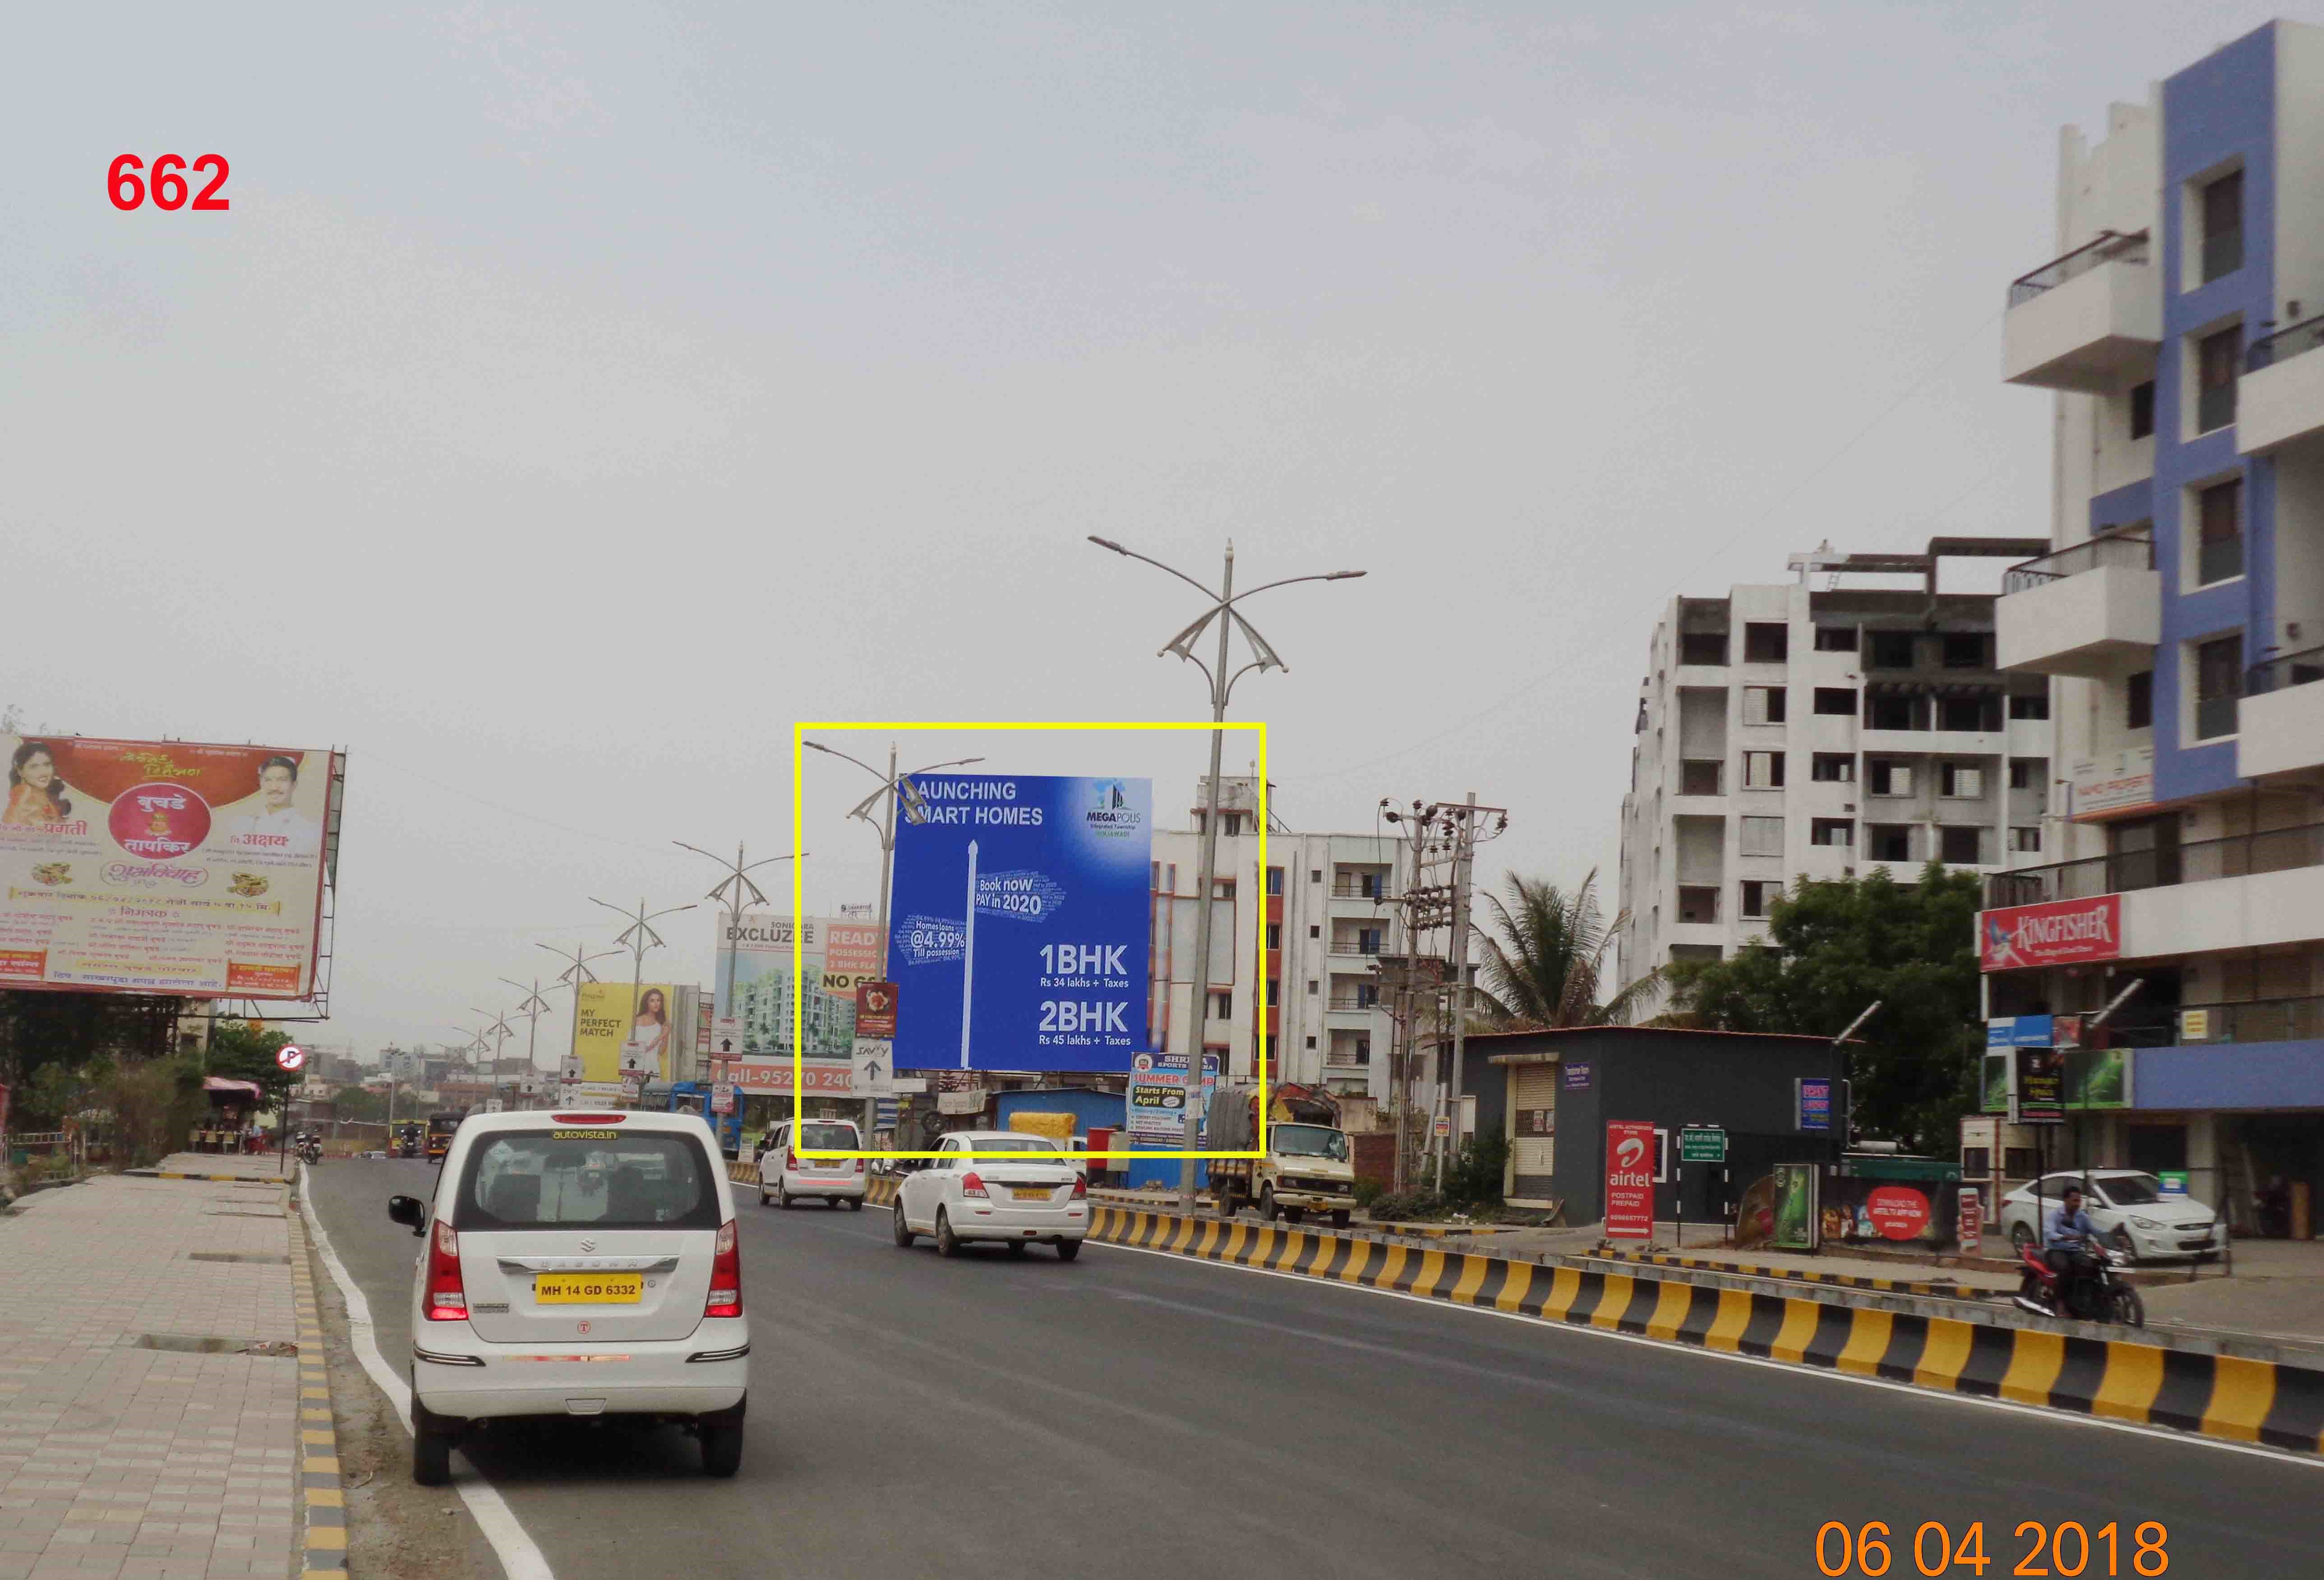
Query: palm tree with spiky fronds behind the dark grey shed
x,y
1549,958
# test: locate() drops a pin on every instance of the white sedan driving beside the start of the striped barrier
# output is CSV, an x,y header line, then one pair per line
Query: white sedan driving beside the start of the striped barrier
x,y
1035,1193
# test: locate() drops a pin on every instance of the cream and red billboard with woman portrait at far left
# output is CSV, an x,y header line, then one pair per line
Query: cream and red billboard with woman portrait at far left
x,y
166,868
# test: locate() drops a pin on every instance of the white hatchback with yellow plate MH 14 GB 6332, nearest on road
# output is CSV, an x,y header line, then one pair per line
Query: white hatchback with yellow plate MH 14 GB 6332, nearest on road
x,y
578,1265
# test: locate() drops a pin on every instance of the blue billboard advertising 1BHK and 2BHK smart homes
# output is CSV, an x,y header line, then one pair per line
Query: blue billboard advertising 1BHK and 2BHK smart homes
x,y
1021,921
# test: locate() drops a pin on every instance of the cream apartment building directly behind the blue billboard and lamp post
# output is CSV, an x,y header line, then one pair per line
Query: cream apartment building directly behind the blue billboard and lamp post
x,y
1314,926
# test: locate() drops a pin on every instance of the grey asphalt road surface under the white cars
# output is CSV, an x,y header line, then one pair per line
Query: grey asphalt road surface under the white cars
x,y
1142,1416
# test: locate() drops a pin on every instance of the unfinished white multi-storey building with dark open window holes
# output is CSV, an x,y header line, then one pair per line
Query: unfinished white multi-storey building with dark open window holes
x,y
1823,731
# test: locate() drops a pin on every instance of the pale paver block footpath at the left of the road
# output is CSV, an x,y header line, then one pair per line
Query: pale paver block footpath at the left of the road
x,y
115,1458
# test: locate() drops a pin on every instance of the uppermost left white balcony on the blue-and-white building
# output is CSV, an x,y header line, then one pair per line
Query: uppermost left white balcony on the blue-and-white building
x,y
2088,322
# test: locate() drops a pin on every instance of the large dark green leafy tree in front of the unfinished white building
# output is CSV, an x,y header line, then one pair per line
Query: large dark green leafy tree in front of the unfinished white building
x,y
1832,949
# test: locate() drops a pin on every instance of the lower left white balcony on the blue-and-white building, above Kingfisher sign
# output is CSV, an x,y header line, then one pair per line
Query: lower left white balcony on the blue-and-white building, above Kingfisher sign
x,y
2090,610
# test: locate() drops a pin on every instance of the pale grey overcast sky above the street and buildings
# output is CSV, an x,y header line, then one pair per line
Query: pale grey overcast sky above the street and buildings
x,y
578,396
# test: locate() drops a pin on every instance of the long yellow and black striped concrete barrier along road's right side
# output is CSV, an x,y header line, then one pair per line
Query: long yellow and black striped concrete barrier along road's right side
x,y
2211,1395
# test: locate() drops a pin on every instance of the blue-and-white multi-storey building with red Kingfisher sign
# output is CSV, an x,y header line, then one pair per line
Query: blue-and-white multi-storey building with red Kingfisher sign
x,y
2181,617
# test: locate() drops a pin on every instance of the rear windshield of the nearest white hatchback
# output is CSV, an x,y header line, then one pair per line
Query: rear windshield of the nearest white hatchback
x,y
601,1179
